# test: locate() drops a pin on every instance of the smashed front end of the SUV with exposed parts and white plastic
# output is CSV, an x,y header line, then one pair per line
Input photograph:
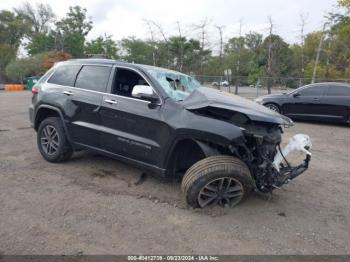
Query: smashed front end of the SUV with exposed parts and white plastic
x,y
265,158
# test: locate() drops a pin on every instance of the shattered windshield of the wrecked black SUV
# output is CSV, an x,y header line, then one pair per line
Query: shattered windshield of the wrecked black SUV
x,y
178,86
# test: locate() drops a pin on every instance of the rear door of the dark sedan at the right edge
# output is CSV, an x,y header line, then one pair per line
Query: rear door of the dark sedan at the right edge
x,y
336,102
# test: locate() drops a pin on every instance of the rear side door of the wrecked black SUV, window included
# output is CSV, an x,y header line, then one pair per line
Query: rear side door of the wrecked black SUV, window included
x,y
85,102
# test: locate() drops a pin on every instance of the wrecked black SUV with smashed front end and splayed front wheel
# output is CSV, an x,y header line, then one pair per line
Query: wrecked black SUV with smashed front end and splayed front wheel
x,y
165,123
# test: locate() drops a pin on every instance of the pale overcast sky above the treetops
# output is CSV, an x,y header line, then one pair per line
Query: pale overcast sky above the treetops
x,y
123,18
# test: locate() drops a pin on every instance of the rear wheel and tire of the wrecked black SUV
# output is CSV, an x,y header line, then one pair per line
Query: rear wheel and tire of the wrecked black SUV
x,y
56,148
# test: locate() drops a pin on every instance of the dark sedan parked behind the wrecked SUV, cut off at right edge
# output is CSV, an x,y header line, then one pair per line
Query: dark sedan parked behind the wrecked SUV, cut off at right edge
x,y
320,101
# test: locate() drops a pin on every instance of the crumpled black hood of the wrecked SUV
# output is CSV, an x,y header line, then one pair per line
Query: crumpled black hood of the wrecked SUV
x,y
203,97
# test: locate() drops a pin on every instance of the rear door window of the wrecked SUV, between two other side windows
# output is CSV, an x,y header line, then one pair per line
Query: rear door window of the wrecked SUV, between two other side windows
x,y
93,78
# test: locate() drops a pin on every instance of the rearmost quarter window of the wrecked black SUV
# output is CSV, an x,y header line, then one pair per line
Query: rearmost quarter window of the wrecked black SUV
x,y
65,75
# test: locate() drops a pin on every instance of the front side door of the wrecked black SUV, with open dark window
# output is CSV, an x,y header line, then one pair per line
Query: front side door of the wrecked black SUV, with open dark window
x,y
132,128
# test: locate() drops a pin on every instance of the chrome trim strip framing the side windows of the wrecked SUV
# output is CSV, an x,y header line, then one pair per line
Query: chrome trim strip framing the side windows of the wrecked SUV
x,y
110,94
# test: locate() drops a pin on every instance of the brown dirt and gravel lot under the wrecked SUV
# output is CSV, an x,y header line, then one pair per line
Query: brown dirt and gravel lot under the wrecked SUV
x,y
95,205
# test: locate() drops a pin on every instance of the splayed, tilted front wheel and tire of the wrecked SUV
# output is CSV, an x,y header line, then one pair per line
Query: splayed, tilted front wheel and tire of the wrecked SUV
x,y
207,175
